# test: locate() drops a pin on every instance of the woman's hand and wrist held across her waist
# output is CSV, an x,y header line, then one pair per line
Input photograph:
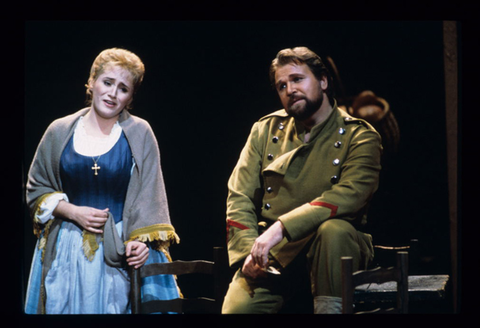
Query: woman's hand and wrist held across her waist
x,y
88,218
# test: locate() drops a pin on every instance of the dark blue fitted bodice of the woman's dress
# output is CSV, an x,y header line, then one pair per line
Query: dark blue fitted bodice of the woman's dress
x,y
108,188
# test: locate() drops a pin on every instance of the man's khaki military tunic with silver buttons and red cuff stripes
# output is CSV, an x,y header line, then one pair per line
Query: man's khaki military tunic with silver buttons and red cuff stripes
x,y
280,177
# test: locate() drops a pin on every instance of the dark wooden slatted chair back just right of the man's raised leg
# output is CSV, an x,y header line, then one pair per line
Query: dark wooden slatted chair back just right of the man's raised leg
x,y
379,275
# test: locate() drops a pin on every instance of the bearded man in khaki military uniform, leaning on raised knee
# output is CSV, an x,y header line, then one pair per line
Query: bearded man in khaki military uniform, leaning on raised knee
x,y
306,173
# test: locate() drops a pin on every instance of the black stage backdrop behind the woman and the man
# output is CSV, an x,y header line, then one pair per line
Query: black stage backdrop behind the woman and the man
x,y
207,82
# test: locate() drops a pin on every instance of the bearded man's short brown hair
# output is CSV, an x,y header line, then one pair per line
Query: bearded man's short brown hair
x,y
302,55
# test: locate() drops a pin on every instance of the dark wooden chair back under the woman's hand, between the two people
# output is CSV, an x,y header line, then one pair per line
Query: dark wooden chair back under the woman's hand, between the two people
x,y
179,305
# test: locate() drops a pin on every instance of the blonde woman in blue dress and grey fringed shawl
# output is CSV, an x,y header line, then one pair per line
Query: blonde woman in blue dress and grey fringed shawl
x,y
97,198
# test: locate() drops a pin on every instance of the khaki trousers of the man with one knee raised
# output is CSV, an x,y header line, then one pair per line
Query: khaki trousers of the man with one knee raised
x,y
319,265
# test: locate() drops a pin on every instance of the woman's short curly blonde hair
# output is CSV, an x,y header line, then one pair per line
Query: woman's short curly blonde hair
x,y
116,57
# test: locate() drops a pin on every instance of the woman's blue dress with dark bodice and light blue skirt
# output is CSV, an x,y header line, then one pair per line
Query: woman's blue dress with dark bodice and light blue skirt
x,y
74,284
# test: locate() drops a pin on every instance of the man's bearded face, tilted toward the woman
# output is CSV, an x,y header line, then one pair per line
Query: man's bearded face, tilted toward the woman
x,y
300,92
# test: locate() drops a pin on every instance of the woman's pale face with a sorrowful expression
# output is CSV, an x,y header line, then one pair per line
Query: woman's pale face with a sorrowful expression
x,y
112,91
